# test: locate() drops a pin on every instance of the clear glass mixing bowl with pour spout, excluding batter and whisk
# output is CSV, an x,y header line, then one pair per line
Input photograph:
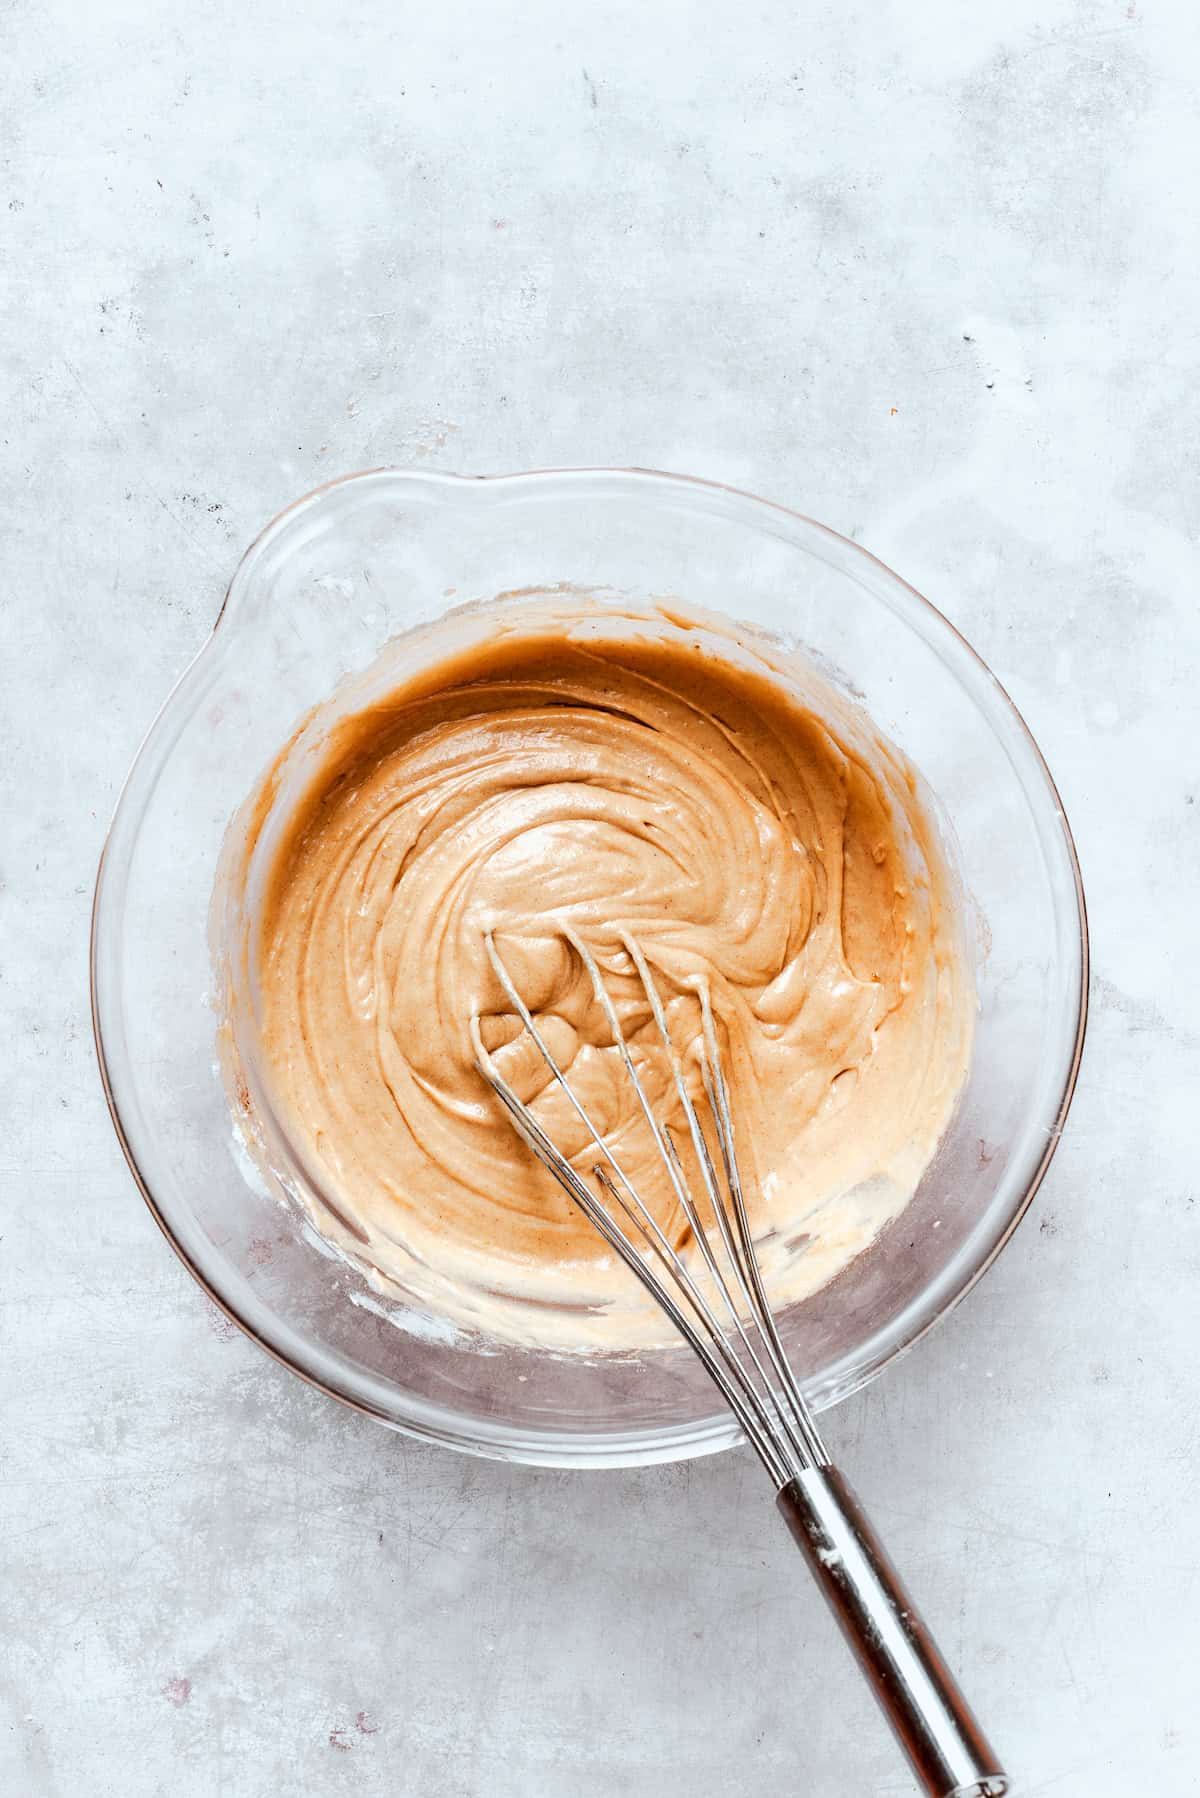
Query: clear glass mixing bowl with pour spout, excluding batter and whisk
x,y
327,585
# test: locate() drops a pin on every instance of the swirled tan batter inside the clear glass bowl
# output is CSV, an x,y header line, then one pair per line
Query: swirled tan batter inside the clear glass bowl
x,y
722,805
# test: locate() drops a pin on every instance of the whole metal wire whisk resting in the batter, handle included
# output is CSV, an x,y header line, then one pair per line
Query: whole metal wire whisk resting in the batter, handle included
x,y
719,1304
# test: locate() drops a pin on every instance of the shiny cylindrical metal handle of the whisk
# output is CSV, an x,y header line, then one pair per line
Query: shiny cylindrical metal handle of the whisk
x,y
949,1752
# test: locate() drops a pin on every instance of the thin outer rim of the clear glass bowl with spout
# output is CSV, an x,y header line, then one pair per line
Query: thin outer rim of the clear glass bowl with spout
x,y
578,1450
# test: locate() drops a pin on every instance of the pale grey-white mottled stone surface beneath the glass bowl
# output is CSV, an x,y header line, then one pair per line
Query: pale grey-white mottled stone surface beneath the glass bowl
x,y
926,272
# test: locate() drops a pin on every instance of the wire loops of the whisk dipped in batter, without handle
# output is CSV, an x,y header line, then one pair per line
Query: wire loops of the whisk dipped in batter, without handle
x,y
715,1297
